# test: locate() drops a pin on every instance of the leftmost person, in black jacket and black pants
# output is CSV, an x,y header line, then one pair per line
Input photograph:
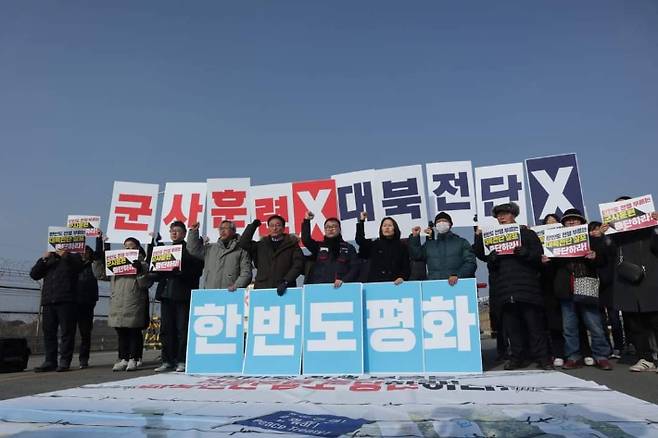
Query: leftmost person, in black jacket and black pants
x,y
59,272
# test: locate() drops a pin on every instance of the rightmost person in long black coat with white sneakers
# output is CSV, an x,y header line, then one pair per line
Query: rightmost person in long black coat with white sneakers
x,y
635,286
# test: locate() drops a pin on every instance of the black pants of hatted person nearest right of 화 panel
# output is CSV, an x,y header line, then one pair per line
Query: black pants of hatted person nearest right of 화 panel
x,y
524,324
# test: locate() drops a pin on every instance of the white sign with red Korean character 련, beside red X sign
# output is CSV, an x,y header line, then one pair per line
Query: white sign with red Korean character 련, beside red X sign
x,y
269,200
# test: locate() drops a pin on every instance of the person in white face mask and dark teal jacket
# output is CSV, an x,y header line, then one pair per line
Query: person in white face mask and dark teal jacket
x,y
448,256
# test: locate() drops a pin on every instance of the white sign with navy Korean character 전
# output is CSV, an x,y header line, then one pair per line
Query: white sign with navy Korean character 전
x,y
452,190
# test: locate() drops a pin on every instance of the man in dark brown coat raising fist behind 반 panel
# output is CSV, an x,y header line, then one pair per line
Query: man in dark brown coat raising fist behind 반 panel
x,y
277,256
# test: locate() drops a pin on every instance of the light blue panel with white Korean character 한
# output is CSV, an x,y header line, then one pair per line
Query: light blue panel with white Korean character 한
x,y
215,339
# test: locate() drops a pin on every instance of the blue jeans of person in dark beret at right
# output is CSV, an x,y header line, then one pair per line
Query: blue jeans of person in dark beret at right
x,y
591,316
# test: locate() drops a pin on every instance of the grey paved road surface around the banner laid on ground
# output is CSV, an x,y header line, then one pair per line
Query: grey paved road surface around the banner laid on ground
x,y
640,385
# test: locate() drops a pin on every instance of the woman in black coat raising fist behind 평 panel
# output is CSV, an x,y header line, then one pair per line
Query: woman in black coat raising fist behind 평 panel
x,y
388,257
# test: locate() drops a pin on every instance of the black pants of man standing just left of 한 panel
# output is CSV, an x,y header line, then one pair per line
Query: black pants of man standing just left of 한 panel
x,y
173,330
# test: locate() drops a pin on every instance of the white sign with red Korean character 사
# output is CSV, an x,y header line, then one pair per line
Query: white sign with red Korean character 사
x,y
183,202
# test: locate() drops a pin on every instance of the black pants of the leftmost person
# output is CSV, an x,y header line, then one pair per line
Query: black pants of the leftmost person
x,y
60,316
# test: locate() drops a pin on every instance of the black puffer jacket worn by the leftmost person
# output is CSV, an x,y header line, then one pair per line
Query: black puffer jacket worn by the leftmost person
x,y
60,278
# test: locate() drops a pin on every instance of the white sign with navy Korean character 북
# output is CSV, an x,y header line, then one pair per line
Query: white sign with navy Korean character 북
x,y
402,194
